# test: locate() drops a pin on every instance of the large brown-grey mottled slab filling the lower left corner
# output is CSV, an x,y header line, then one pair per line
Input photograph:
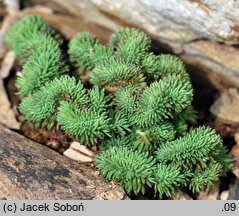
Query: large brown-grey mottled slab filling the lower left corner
x,y
29,170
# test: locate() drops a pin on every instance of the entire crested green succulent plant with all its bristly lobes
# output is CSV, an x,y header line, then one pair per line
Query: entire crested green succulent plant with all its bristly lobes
x,y
136,106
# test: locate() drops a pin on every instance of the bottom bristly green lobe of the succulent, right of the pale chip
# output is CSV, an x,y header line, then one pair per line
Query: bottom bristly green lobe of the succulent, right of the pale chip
x,y
135,171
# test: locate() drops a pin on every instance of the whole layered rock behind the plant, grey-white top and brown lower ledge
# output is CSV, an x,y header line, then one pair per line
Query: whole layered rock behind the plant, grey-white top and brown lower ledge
x,y
179,27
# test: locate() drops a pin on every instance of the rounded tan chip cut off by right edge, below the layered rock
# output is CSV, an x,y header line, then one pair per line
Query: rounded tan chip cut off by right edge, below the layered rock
x,y
226,107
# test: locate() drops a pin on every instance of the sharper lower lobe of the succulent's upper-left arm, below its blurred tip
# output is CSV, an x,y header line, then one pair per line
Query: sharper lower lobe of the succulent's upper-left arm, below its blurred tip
x,y
44,64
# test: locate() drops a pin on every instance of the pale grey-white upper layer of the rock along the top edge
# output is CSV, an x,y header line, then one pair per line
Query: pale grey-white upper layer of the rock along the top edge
x,y
175,20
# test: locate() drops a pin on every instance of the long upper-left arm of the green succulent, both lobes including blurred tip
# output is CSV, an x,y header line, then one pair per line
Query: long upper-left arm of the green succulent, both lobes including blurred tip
x,y
37,46
